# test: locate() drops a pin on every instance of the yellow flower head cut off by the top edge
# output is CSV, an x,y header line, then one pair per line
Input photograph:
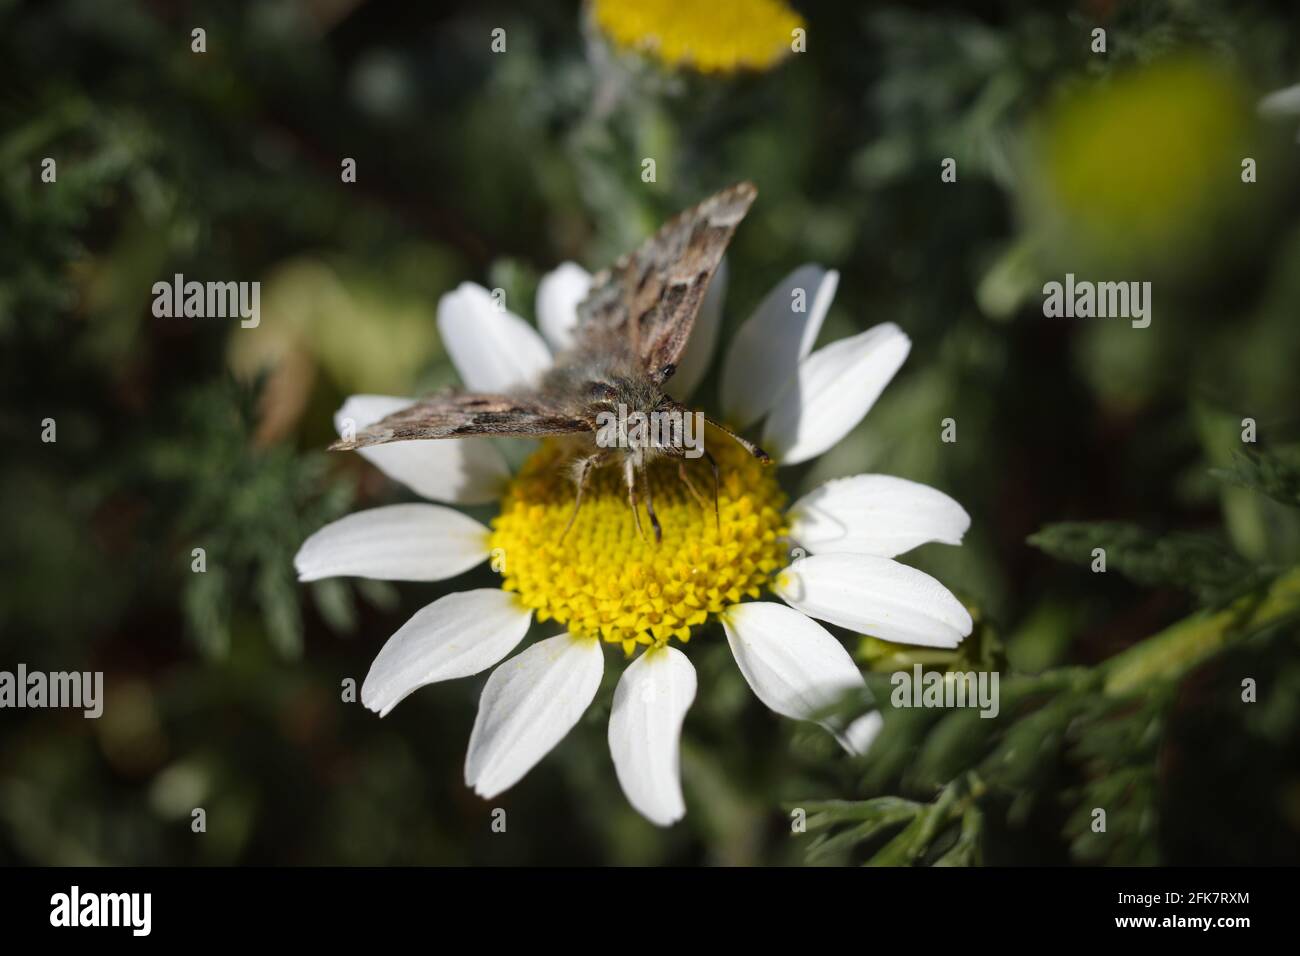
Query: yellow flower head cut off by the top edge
x,y
714,36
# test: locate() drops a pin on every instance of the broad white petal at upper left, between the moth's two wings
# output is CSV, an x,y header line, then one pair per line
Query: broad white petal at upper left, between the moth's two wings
x,y
492,349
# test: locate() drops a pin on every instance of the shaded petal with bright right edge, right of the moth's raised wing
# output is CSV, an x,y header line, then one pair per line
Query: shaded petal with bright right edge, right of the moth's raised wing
x,y
769,348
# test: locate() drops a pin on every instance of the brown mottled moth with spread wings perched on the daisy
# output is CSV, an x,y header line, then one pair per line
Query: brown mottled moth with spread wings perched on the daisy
x,y
632,331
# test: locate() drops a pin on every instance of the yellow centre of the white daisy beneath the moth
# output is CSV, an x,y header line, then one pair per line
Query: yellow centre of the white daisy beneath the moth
x,y
604,579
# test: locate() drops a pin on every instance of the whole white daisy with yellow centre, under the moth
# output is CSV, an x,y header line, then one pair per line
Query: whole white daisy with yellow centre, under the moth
x,y
604,582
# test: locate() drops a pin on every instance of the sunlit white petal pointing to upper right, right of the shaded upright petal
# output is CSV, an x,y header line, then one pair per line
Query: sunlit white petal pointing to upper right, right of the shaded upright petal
x,y
833,391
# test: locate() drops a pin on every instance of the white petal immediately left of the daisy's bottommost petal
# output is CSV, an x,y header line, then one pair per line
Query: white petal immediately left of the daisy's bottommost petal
x,y
528,706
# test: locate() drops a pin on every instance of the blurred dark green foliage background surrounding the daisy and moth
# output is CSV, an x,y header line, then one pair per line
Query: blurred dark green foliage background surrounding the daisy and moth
x,y
224,689
